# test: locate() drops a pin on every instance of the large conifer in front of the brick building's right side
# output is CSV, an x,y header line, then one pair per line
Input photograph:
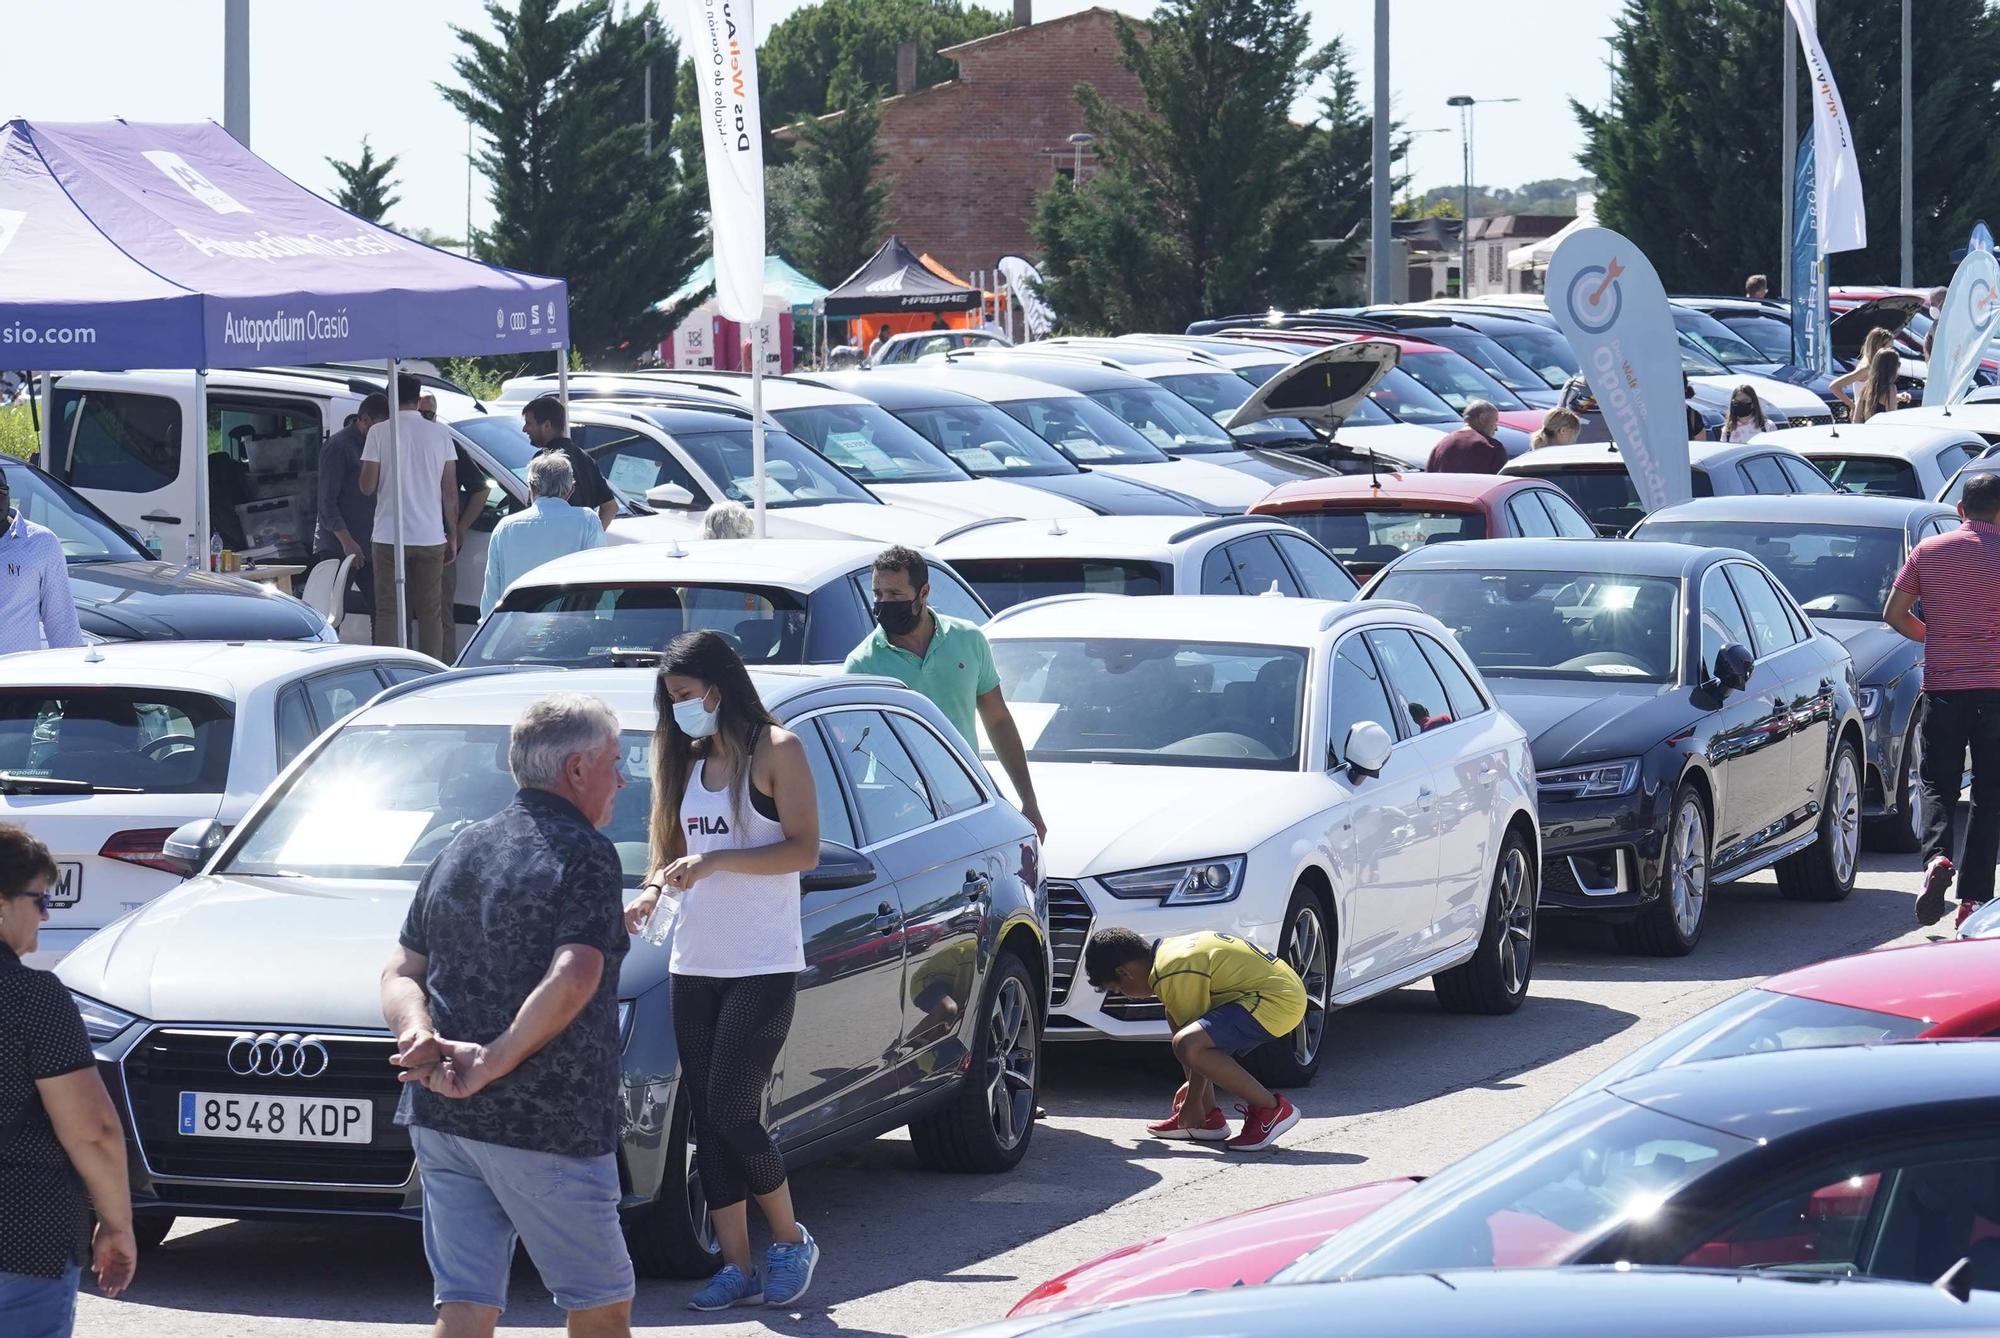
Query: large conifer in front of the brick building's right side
x,y
1213,181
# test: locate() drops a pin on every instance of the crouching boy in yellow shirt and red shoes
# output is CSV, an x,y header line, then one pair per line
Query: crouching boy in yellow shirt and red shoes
x,y
1223,999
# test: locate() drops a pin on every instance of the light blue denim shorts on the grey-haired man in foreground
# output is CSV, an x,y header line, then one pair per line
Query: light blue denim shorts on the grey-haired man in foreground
x,y
481,1197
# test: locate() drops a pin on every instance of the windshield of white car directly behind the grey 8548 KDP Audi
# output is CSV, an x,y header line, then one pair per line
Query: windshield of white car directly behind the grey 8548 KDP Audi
x,y
581,627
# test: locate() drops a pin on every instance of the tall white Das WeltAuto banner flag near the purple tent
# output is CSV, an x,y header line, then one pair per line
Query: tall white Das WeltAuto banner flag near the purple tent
x,y
723,49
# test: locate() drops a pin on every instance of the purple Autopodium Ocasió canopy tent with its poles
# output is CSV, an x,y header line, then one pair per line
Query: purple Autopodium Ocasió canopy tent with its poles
x,y
129,245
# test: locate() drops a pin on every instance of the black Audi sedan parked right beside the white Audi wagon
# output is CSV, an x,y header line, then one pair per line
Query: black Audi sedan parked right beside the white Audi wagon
x,y
1689,721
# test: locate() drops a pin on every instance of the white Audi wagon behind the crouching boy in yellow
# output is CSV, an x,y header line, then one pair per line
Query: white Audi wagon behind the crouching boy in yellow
x,y
1331,783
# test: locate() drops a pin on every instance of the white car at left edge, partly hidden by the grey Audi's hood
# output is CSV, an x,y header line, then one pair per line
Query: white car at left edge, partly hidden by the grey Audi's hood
x,y
107,751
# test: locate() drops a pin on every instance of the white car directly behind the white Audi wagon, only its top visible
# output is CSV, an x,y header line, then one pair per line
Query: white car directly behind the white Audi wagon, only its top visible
x,y
1021,561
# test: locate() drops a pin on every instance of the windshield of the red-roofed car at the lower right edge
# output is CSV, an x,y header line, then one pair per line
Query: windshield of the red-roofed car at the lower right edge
x,y
1757,1023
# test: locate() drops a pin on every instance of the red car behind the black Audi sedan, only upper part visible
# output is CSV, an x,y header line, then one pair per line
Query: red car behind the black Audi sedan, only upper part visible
x,y
1369,521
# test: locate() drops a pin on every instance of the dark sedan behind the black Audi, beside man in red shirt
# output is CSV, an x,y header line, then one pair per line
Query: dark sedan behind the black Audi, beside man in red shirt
x,y
1837,557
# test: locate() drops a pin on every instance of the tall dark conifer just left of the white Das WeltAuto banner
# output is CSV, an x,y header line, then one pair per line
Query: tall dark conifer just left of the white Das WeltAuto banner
x,y
557,95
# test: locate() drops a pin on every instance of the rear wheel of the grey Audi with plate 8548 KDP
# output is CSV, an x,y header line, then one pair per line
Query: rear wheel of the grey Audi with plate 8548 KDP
x,y
991,1121
